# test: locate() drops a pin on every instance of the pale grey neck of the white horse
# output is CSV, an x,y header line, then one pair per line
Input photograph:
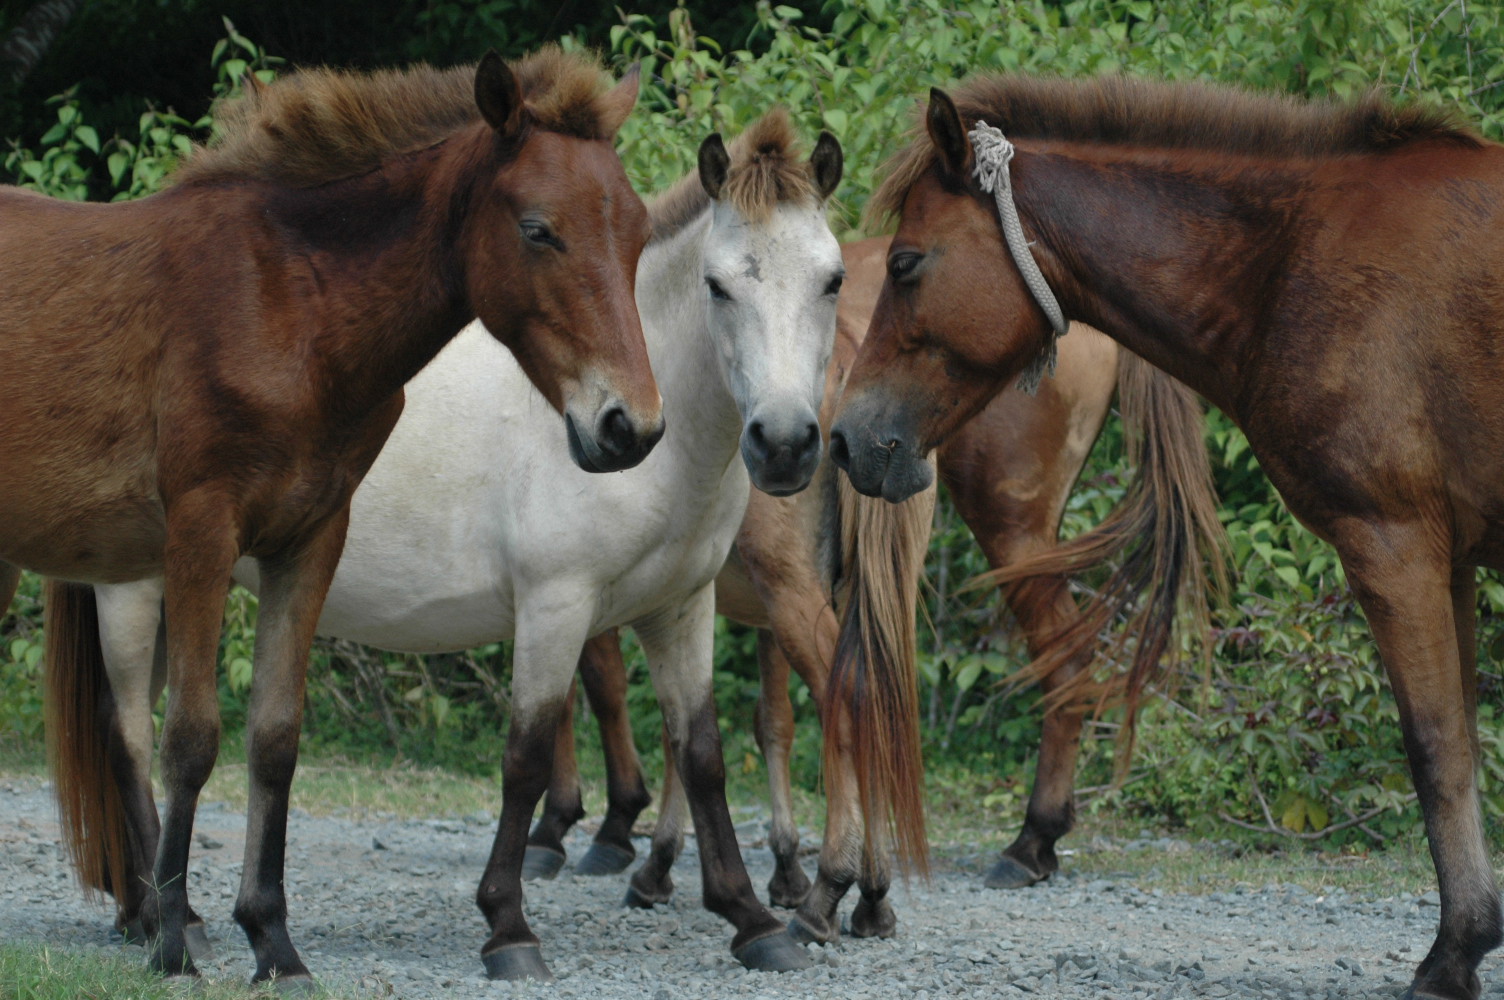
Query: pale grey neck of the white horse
x,y
702,414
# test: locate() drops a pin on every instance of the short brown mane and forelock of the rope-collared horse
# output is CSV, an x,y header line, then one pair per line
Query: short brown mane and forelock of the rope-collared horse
x,y
1148,114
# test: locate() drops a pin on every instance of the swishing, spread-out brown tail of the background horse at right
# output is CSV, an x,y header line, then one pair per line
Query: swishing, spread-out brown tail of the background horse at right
x,y
1163,532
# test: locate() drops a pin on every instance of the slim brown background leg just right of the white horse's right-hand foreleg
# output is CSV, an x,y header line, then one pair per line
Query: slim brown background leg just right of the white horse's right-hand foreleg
x,y
775,738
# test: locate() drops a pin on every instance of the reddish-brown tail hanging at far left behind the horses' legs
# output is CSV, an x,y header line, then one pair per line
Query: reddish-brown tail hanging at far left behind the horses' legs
x,y
77,698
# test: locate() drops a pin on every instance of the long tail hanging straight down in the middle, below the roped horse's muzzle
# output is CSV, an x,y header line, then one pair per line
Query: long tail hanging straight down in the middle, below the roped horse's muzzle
x,y
873,676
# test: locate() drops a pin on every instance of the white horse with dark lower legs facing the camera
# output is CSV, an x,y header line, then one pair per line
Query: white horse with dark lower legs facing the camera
x,y
473,529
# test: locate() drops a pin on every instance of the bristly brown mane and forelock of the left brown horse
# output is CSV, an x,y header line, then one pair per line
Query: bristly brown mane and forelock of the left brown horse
x,y
320,126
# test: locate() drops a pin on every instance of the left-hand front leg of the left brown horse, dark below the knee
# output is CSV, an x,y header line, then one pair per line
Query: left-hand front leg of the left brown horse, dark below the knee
x,y
201,551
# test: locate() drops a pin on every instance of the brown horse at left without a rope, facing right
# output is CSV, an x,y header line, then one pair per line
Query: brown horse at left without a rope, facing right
x,y
208,374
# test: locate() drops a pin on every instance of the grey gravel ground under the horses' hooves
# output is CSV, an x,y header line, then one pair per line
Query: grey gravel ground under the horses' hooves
x,y
384,908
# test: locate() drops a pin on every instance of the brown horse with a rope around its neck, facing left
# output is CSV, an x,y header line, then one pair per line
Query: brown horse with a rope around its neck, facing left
x,y
1330,276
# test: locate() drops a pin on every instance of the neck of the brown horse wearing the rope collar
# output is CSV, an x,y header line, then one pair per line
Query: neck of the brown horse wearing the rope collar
x,y
1172,262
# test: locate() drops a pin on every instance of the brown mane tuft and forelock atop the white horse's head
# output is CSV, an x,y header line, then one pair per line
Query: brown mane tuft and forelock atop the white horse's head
x,y
768,168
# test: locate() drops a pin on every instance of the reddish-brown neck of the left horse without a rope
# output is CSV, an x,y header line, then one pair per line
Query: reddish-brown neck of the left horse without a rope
x,y
378,256
